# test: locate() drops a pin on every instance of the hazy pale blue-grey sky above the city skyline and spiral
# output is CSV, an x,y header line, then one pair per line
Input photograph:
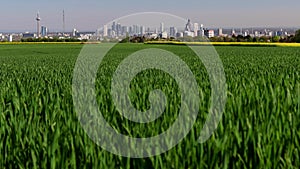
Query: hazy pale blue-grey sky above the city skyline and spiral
x,y
18,15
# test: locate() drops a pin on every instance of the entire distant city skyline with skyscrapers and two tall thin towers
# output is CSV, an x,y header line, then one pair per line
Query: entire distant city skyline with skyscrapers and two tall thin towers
x,y
117,31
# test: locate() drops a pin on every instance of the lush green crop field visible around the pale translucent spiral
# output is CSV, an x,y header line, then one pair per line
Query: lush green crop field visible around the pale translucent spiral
x,y
260,127
